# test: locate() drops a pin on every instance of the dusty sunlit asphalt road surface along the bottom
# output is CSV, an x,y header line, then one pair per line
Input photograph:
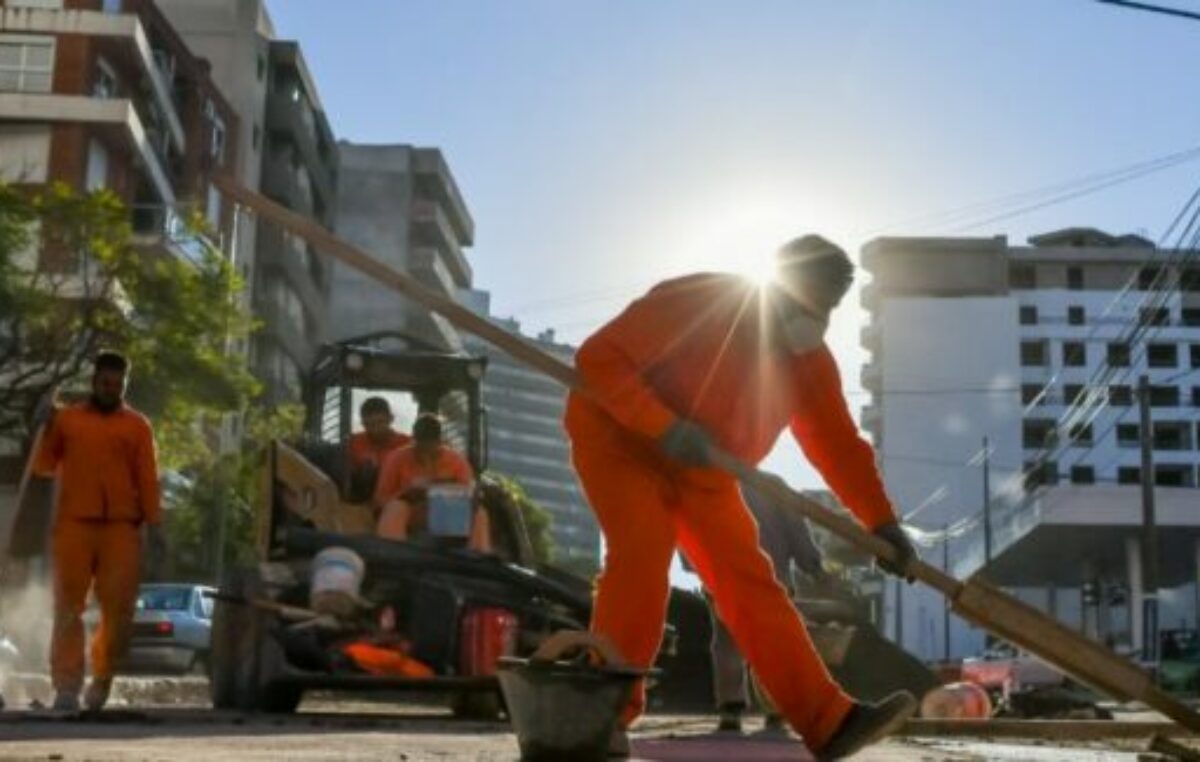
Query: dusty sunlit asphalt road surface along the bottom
x,y
358,731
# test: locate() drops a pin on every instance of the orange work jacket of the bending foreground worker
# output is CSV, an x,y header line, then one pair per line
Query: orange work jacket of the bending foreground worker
x,y
700,347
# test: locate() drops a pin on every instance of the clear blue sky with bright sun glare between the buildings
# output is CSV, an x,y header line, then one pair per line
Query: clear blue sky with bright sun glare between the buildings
x,y
603,146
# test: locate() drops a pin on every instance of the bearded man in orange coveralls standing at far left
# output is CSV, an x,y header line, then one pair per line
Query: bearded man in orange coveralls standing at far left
x,y
103,454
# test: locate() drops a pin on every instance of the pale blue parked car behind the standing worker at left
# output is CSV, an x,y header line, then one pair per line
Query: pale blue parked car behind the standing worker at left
x,y
172,629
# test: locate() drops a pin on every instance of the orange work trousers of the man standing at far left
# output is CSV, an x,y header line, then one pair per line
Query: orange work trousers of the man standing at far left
x,y
105,554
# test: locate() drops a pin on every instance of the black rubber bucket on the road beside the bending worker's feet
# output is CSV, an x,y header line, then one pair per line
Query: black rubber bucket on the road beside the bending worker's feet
x,y
565,711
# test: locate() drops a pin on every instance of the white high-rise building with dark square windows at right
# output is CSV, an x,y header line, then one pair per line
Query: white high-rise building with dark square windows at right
x,y
1040,350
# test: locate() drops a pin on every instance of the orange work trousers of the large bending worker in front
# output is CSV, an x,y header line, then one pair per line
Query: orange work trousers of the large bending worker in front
x,y
647,507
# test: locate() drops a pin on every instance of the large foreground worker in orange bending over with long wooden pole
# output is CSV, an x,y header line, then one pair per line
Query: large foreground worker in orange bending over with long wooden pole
x,y
706,362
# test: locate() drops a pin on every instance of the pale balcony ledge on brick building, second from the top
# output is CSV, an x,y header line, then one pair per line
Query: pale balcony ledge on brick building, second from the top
x,y
117,115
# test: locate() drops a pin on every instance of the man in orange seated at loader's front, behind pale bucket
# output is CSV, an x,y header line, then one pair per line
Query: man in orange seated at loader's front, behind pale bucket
x,y
412,476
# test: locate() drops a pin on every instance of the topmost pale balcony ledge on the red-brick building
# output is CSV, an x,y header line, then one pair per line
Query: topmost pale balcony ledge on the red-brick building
x,y
127,27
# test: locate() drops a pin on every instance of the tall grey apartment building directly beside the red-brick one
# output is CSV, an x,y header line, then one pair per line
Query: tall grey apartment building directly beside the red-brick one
x,y
287,153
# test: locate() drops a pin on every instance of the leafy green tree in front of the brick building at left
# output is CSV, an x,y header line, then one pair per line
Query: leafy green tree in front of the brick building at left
x,y
73,281
